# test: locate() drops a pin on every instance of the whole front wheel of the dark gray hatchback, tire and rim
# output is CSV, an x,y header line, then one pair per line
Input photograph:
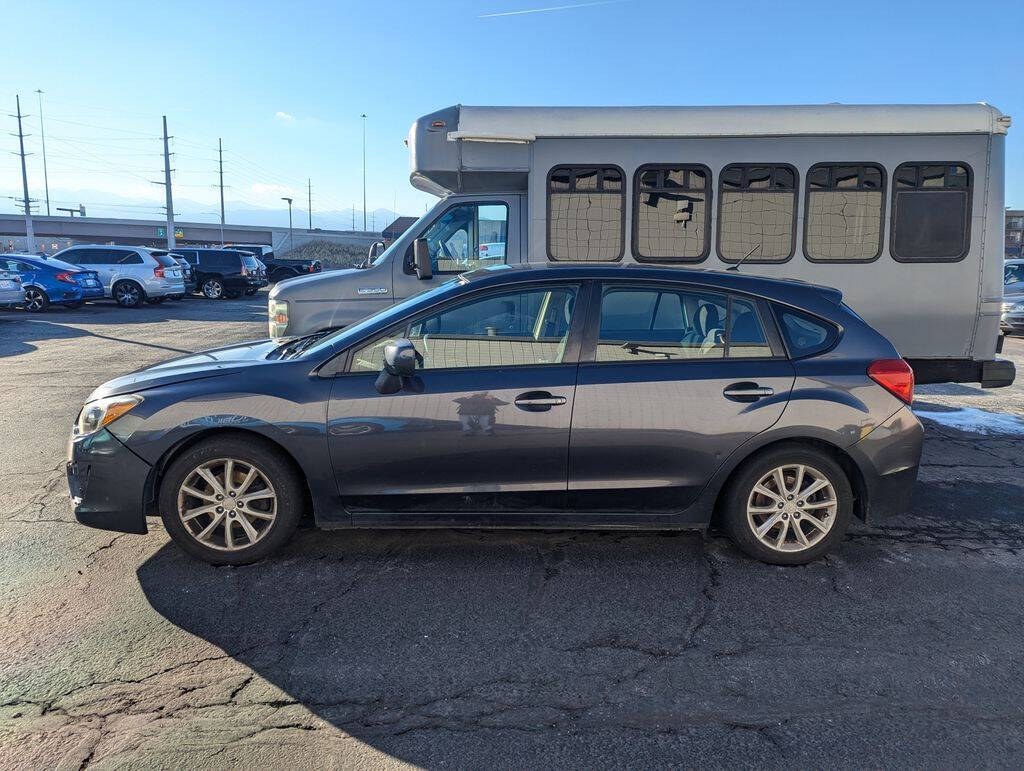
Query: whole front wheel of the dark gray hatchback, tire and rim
x,y
231,502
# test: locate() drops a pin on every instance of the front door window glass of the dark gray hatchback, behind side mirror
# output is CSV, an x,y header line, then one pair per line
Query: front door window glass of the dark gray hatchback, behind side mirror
x,y
528,327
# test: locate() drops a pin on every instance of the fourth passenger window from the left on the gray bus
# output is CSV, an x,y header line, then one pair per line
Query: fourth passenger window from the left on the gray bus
x,y
844,212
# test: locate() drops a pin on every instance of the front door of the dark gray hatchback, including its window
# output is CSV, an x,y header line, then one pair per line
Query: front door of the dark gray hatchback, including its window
x,y
485,427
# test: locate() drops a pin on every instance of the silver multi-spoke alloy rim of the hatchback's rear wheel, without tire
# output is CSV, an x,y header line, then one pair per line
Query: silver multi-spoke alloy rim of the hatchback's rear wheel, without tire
x,y
792,508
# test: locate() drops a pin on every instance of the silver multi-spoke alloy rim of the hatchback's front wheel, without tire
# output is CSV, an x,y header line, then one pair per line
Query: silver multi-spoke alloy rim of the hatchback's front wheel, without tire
x,y
228,504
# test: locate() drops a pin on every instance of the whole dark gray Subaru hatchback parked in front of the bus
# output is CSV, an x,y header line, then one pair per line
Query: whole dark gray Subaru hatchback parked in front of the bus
x,y
578,397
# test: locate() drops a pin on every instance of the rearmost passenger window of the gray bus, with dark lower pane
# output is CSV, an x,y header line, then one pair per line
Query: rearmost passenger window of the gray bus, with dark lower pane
x,y
931,212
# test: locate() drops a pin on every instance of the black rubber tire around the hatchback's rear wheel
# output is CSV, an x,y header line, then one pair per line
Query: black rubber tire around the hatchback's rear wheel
x,y
736,498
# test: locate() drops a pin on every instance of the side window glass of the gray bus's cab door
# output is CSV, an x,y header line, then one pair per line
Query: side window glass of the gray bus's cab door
x,y
467,237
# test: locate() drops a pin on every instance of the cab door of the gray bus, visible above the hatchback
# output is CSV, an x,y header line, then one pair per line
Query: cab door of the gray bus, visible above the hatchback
x,y
465,235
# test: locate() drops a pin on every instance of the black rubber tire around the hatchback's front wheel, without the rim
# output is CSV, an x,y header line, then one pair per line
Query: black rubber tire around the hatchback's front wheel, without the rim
x,y
270,462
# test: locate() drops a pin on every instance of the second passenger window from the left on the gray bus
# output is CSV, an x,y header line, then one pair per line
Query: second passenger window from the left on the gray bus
x,y
672,217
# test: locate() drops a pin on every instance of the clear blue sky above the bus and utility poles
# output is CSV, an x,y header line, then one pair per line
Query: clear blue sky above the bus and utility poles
x,y
284,83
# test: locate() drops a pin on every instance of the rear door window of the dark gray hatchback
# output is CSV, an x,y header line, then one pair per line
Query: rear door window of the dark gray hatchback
x,y
656,324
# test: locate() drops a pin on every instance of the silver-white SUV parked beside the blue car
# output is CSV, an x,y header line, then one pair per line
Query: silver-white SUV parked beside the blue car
x,y
131,276
